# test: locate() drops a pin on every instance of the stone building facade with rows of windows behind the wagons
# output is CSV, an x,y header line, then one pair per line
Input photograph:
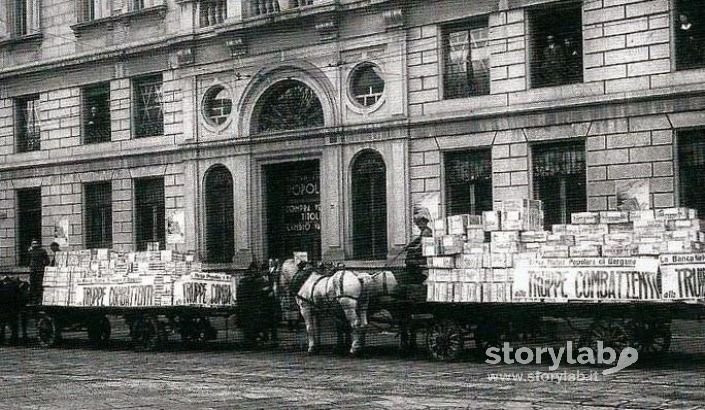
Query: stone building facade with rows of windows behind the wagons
x,y
240,129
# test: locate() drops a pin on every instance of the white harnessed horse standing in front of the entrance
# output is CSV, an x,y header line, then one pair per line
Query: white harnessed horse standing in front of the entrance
x,y
344,289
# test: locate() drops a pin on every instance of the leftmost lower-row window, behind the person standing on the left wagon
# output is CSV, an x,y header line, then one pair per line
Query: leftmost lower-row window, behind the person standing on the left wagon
x,y
29,221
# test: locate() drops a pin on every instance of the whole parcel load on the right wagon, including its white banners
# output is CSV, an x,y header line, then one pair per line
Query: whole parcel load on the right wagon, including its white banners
x,y
506,256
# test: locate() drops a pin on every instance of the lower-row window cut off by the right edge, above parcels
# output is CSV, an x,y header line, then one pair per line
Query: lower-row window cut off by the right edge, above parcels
x,y
691,169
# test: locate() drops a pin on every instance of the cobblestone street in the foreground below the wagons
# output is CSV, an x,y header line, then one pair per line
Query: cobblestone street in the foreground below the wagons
x,y
78,377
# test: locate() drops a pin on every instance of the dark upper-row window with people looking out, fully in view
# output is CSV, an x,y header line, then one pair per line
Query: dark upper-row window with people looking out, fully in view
x,y
556,45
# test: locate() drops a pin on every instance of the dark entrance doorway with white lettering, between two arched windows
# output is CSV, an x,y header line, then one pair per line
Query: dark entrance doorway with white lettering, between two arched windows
x,y
293,209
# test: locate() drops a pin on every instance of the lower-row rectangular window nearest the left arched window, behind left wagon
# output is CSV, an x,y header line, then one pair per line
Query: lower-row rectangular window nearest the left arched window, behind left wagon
x,y
149,212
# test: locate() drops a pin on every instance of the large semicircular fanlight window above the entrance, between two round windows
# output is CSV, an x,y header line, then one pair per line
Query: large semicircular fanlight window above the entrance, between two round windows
x,y
289,105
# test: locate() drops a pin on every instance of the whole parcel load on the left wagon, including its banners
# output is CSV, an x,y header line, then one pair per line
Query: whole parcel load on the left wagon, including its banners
x,y
102,277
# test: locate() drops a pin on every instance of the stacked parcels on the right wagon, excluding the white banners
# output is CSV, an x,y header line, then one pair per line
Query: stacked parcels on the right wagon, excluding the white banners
x,y
472,258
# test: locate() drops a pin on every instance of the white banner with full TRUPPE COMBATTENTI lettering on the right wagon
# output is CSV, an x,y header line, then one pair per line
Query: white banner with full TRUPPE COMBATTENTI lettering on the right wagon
x,y
589,283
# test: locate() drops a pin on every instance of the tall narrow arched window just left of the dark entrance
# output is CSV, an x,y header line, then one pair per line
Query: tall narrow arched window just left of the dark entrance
x,y
220,220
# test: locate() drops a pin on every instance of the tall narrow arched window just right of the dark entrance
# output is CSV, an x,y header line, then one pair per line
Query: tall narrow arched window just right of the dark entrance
x,y
369,204
